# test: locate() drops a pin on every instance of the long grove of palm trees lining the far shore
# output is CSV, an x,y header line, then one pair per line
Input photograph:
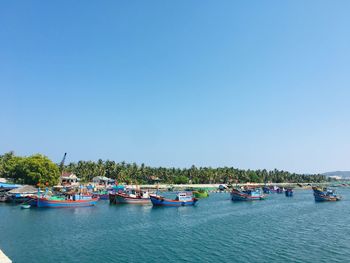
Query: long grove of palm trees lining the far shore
x,y
142,174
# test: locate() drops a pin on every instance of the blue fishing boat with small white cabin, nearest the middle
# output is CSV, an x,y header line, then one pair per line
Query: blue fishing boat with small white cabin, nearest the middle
x,y
182,199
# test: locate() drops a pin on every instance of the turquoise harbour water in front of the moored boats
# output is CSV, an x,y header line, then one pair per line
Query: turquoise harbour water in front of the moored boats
x,y
277,229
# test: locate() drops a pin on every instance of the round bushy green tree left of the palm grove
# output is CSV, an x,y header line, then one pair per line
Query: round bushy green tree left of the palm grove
x,y
29,170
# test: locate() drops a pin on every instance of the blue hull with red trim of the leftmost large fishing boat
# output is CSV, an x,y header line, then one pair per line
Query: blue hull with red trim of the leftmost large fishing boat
x,y
43,202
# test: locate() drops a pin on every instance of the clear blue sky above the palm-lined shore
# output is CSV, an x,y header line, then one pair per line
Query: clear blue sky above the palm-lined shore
x,y
249,84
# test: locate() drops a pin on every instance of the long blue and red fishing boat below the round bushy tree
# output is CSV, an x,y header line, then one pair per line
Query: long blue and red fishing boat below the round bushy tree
x,y
75,200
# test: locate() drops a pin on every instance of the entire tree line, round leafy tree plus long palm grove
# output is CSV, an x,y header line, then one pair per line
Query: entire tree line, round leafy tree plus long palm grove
x,y
38,168
